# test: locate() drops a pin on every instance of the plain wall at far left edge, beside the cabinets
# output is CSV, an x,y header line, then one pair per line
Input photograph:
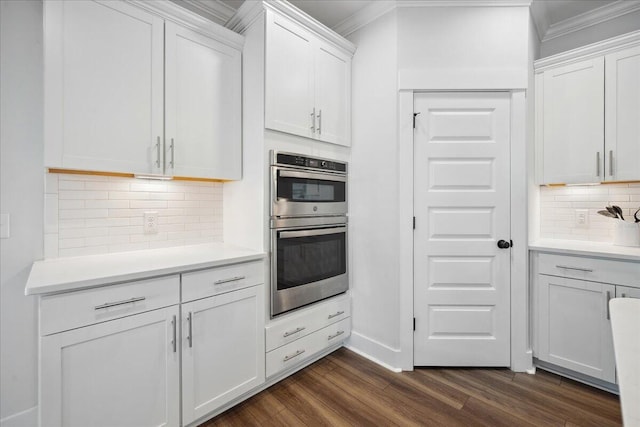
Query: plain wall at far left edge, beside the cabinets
x,y
21,195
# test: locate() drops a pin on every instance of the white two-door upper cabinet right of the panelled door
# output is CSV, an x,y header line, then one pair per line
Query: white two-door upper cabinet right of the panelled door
x,y
587,113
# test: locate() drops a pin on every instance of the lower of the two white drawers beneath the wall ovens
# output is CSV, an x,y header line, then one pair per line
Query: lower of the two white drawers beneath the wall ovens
x,y
302,349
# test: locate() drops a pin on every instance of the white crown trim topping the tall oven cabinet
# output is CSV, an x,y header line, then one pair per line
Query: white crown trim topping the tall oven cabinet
x,y
248,12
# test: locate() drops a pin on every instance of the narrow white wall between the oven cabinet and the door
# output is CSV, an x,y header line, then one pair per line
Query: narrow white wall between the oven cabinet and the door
x,y
373,180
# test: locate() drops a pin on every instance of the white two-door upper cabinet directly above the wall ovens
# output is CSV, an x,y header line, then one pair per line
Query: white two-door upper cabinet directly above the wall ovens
x,y
308,83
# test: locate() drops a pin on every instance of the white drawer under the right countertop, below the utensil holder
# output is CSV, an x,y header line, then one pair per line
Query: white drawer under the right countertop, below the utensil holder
x,y
591,269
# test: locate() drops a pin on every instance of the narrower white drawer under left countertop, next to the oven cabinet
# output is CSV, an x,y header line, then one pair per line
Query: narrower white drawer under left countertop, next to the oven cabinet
x,y
218,280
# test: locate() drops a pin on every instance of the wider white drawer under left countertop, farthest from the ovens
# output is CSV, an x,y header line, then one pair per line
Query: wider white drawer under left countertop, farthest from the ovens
x,y
71,310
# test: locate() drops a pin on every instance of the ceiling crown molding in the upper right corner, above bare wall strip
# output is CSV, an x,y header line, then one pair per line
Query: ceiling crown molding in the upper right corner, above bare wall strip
x,y
590,18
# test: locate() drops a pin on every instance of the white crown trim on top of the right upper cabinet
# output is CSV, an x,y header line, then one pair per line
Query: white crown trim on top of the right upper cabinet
x,y
588,51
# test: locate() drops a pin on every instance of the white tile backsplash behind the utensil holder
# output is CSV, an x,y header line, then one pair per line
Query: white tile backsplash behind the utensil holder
x,y
558,206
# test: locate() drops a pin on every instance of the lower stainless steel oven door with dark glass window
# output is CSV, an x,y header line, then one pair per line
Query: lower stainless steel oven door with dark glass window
x,y
308,265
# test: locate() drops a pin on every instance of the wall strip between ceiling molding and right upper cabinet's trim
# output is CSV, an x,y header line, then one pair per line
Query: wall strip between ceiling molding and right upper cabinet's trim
x,y
614,27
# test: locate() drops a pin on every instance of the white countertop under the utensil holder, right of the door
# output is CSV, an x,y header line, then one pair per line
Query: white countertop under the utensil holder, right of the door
x,y
576,247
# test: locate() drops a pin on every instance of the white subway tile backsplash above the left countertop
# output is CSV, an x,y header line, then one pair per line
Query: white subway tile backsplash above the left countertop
x,y
87,214
